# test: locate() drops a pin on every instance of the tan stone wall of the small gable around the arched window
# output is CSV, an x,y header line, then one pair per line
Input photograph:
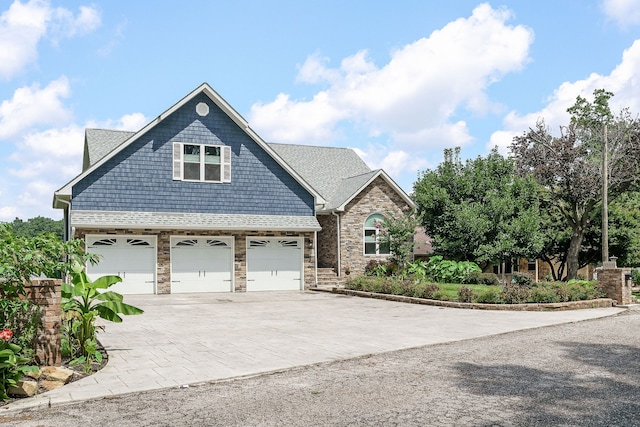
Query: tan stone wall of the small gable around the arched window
x,y
378,197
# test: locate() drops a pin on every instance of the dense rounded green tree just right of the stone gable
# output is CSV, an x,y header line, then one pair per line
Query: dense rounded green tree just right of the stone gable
x,y
480,210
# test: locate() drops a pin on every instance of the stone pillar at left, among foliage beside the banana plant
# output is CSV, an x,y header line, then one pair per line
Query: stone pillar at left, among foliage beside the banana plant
x,y
46,294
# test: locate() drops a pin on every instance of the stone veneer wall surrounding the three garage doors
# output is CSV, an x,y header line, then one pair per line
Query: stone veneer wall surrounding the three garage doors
x,y
163,273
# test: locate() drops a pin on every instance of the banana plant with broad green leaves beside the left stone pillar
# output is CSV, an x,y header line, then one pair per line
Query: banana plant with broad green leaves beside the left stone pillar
x,y
83,300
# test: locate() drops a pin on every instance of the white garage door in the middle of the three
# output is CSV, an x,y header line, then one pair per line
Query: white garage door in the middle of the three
x,y
201,264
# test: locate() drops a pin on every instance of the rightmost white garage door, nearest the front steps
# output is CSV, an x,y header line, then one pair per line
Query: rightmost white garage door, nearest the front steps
x,y
274,264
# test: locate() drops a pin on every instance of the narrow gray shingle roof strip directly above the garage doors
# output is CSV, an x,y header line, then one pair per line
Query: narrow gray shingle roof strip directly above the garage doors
x,y
169,220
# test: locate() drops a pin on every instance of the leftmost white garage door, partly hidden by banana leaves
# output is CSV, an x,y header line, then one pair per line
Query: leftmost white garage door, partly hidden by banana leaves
x,y
133,258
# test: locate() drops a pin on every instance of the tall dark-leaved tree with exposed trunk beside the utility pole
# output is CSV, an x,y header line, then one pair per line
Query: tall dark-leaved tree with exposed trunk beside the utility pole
x,y
568,166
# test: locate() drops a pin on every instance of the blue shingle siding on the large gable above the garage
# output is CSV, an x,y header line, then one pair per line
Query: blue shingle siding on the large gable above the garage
x,y
139,178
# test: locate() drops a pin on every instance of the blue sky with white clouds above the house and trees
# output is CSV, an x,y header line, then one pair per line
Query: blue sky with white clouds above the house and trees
x,y
397,82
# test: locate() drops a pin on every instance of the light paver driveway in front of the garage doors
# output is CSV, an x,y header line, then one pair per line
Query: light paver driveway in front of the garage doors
x,y
184,339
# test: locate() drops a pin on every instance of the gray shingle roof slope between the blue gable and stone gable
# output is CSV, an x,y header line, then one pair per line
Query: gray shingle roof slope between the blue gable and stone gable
x,y
326,169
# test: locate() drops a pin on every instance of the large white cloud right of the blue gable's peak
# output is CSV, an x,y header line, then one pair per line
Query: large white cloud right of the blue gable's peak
x,y
412,97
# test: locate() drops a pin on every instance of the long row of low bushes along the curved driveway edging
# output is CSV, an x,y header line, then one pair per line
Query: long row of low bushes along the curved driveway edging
x,y
512,293
